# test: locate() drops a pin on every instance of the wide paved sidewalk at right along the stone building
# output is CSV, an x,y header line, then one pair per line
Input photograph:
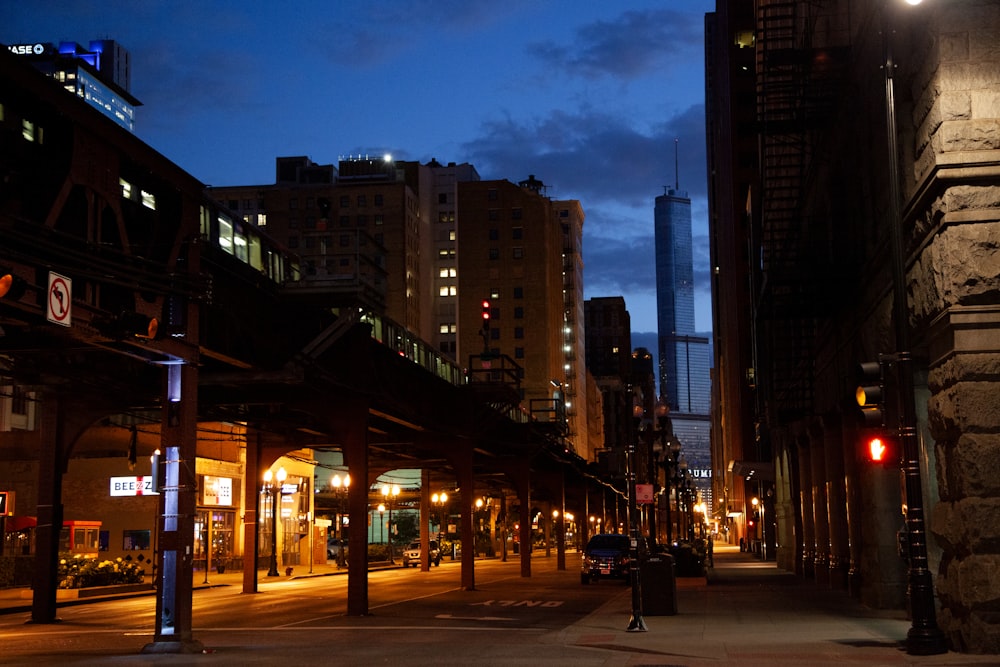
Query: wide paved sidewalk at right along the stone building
x,y
750,613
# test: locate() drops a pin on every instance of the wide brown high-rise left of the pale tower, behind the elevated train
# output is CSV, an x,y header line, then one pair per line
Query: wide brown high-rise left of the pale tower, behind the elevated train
x,y
357,229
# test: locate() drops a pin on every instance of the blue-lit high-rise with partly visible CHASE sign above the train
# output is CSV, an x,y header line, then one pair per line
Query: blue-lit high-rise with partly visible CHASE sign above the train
x,y
101,74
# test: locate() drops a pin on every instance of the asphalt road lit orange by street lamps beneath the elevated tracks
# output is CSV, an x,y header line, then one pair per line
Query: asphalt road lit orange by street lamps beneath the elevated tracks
x,y
416,618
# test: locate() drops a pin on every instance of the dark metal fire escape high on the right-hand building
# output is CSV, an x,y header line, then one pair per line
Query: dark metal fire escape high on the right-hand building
x,y
796,89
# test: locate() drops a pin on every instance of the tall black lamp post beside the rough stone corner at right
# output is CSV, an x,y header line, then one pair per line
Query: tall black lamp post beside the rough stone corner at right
x,y
924,636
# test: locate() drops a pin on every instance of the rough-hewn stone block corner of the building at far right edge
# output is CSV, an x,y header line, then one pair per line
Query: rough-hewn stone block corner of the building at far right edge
x,y
954,289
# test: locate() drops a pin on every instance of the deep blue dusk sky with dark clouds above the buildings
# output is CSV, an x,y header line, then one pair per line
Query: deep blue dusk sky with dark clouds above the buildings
x,y
587,96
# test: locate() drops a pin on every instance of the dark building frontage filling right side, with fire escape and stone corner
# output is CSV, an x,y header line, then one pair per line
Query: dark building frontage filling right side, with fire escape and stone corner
x,y
868,228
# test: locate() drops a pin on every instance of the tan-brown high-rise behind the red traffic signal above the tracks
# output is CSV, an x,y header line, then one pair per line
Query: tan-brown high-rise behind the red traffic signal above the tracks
x,y
515,249
